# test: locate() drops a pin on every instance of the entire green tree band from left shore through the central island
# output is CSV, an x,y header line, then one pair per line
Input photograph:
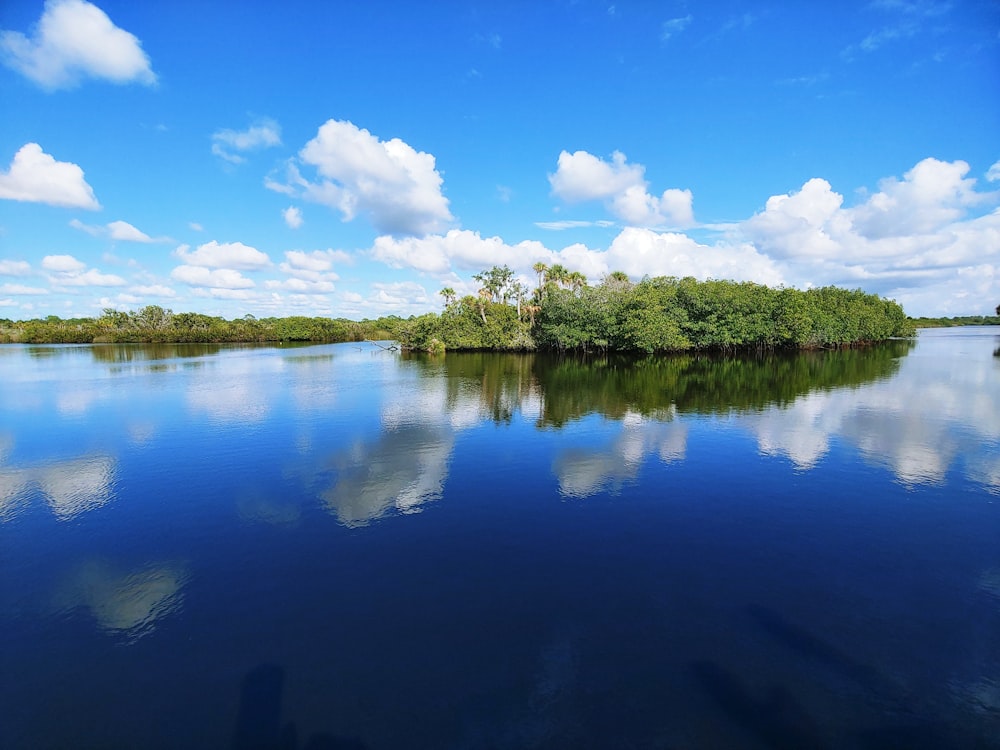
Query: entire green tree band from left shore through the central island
x,y
563,313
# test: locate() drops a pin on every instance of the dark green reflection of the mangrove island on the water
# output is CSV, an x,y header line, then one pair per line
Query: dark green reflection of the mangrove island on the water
x,y
568,388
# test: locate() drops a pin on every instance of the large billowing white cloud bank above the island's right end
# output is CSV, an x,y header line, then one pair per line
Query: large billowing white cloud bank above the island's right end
x,y
912,236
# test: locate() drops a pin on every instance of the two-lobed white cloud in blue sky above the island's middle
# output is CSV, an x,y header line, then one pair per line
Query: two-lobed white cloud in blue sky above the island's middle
x,y
581,177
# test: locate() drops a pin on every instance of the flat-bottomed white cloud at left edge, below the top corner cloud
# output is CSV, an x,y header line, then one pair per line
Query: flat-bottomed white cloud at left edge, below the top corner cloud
x,y
36,177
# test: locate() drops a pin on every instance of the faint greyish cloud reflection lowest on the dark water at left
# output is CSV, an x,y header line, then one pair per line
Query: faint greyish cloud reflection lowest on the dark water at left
x,y
125,603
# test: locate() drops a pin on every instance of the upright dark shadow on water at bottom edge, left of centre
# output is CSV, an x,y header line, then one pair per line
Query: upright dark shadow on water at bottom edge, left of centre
x,y
258,720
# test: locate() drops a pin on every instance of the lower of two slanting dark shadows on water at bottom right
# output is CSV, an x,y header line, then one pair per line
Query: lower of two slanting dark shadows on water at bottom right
x,y
777,721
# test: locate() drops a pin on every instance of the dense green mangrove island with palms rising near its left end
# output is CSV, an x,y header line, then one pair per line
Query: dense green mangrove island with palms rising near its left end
x,y
659,314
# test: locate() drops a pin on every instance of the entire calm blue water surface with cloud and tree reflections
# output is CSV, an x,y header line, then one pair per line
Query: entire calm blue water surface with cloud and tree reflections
x,y
340,547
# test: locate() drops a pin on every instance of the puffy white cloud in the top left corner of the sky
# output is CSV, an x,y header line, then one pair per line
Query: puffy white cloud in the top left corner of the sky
x,y
75,40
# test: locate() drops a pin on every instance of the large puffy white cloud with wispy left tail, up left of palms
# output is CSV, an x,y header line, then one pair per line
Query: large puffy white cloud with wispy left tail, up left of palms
x,y
394,186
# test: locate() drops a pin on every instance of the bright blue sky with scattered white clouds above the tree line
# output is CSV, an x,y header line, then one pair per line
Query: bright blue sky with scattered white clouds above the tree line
x,y
352,159
